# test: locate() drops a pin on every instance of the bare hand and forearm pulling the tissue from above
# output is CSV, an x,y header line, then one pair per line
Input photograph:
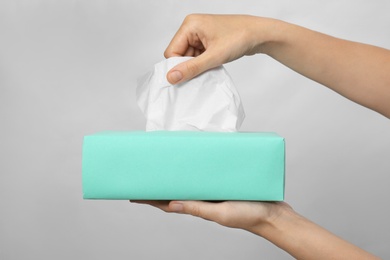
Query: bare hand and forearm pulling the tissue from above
x,y
357,71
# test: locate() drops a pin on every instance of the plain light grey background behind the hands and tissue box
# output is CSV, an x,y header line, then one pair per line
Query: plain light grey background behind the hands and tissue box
x,y
68,68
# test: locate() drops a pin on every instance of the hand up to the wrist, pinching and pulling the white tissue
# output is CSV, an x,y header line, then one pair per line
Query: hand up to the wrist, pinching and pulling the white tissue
x,y
214,40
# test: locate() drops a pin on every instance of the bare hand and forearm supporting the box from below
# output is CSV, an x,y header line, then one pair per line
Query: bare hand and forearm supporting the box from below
x,y
276,222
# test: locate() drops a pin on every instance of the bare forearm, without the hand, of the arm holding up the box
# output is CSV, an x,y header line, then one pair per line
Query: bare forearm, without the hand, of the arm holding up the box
x,y
304,239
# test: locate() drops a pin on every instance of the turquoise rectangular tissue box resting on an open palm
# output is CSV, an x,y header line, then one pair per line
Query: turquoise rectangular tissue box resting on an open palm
x,y
183,165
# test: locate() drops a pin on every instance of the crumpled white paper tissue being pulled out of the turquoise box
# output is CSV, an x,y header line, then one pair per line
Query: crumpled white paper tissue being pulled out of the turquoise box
x,y
208,102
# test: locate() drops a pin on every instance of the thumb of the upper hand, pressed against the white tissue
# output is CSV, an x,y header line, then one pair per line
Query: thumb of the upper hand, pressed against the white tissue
x,y
191,68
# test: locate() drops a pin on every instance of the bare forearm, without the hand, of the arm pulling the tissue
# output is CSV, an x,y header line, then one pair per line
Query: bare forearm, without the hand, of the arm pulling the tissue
x,y
357,71
